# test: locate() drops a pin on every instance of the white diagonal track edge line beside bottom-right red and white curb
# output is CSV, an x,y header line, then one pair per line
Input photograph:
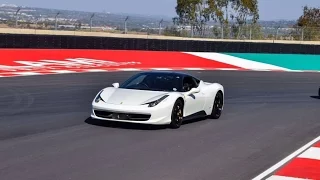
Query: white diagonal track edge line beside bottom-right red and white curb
x,y
285,160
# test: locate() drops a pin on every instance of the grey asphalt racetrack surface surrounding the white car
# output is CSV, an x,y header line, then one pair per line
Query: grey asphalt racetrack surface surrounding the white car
x,y
45,132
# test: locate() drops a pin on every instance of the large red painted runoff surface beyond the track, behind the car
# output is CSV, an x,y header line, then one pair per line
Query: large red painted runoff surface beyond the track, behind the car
x,y
148,59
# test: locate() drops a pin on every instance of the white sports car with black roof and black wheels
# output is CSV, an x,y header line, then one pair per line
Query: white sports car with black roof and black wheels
x,y
157,98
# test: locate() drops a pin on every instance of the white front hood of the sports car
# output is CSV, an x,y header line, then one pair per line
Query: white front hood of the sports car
x,y
129,96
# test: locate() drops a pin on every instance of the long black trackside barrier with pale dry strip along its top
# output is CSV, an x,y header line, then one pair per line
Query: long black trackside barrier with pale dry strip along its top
x,y
45,39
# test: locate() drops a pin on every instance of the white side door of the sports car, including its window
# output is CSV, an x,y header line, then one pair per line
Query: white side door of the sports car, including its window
x,y
194,102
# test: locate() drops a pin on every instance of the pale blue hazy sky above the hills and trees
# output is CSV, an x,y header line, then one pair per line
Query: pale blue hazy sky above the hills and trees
x,y
269,9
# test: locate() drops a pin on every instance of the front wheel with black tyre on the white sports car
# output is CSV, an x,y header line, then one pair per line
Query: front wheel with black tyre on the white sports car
x,y
177,114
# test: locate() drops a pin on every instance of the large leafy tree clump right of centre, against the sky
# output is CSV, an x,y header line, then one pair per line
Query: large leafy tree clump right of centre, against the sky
x,y
198,12
